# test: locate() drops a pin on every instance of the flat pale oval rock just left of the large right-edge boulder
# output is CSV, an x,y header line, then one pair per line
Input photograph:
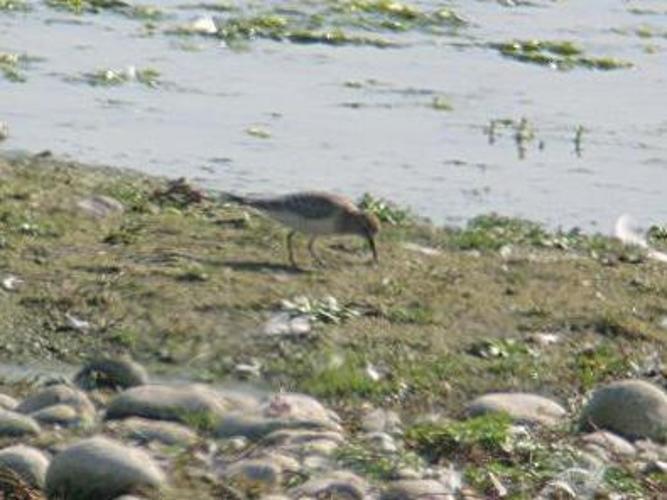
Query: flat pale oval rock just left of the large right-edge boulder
x,y
521,407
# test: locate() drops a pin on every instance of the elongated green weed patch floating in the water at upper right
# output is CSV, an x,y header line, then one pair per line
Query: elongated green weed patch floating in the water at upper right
x,y
563,55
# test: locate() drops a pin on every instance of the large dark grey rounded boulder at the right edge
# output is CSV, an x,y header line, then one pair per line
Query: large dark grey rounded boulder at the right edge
x,y
634,409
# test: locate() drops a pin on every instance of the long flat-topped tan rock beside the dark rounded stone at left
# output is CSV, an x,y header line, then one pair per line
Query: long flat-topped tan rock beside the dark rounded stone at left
x,y
185,403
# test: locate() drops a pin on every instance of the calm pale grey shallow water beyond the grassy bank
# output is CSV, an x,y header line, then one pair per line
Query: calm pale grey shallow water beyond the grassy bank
x,y
381,134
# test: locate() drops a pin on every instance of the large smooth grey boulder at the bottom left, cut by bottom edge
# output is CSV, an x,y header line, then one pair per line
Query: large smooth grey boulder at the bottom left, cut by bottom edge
x,y
102,469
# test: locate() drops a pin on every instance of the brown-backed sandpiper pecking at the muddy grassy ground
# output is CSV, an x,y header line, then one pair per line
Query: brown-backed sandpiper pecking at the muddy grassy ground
x,y
315,214
